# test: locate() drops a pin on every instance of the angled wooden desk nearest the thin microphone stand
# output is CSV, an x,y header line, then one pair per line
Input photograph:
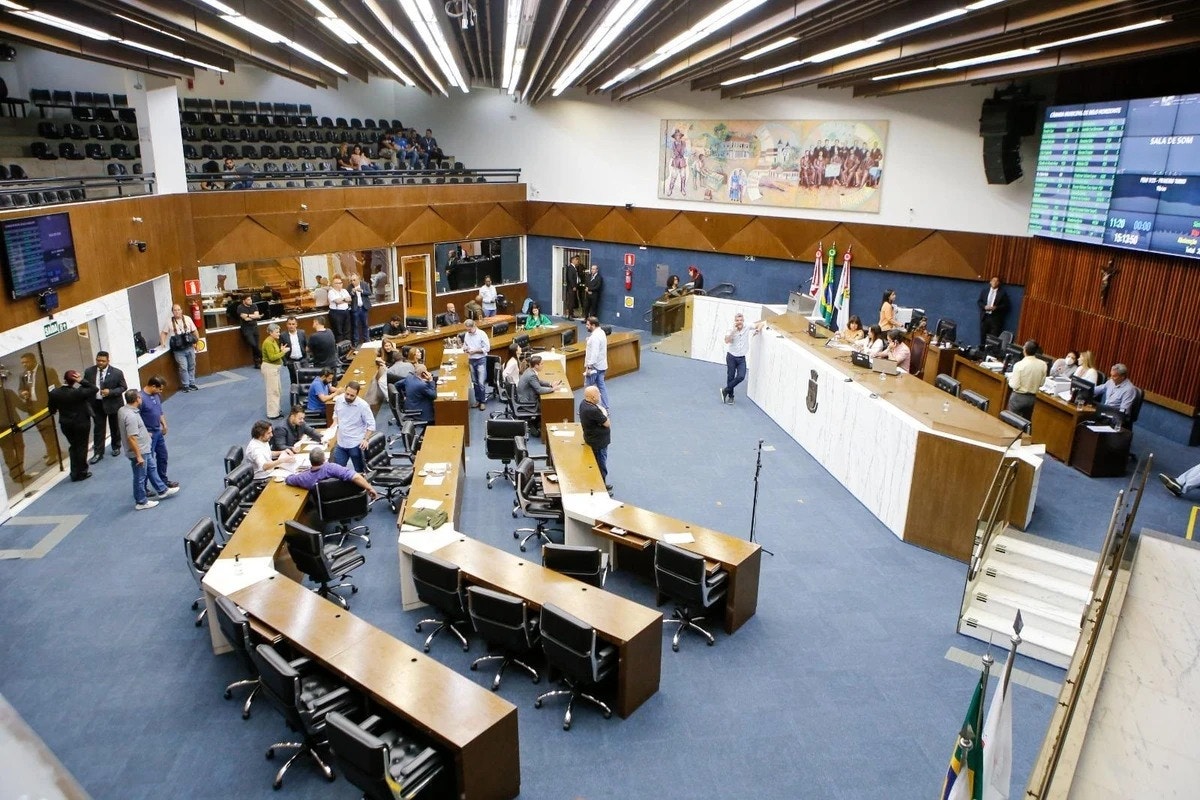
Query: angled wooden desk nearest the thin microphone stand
x,y
586,500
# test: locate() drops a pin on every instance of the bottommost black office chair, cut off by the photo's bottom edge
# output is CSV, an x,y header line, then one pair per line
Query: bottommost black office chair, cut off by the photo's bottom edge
x,y
385,766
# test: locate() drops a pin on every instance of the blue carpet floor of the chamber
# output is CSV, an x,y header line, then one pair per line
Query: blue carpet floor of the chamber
x,y
839,688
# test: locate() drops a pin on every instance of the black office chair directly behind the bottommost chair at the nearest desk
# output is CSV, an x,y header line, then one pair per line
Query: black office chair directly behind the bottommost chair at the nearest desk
x,y
304,696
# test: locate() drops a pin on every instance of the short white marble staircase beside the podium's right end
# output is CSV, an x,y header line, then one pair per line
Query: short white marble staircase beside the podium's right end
x,y
1049,587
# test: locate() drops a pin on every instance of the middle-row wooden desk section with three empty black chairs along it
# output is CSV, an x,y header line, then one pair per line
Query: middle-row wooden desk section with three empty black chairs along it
x,y
634,629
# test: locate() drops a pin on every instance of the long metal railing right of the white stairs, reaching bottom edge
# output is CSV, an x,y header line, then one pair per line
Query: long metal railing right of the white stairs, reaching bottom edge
x,y
1113,560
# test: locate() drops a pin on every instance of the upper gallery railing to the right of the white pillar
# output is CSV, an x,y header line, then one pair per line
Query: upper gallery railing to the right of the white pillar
x,y
316,178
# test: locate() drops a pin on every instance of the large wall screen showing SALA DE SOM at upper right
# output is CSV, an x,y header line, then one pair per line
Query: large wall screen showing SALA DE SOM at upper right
x,y
1124,173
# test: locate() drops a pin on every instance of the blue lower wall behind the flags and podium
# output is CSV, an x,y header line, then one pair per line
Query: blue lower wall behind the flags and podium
x,y
765,280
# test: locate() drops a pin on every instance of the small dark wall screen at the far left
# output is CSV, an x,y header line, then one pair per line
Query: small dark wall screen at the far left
x,y
39,254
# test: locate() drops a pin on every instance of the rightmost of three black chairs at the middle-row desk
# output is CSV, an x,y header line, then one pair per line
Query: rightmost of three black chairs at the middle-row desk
x,y
573,648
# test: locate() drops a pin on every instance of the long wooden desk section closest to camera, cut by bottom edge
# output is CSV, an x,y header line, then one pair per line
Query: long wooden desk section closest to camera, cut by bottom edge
x,y
475,727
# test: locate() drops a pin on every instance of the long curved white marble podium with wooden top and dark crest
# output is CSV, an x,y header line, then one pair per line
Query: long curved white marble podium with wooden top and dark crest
x,y
922,468
